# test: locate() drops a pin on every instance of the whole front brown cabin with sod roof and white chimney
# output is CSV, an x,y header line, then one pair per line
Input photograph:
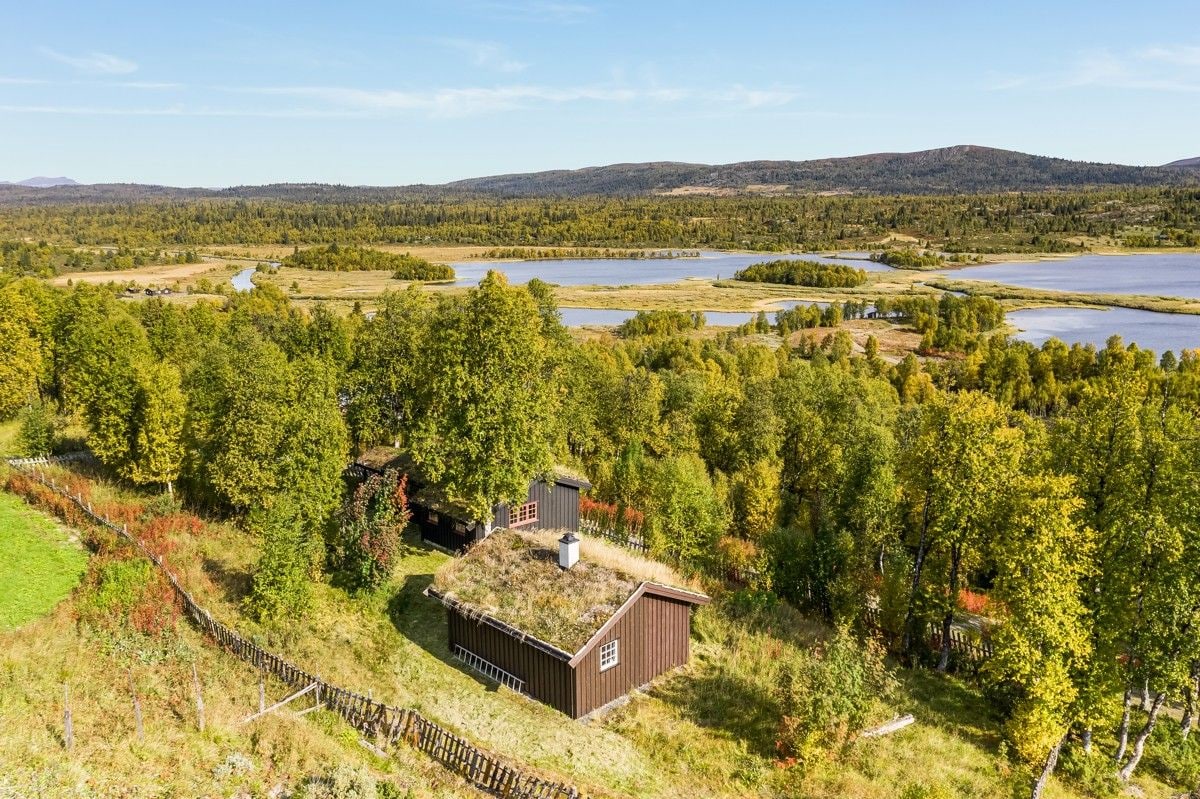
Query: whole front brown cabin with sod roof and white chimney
x,y
577,632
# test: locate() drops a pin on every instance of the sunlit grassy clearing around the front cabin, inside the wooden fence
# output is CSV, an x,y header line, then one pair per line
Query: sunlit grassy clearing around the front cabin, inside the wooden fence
x,y
707,731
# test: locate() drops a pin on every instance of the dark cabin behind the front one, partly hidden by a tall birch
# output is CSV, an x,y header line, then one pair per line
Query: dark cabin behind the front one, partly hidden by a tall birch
x,y
551,503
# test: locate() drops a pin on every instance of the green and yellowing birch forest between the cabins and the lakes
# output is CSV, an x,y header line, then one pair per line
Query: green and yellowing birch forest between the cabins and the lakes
x,y
1048,494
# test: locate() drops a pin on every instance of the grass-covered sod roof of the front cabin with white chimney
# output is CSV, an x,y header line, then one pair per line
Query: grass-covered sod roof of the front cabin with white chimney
x,y
514,578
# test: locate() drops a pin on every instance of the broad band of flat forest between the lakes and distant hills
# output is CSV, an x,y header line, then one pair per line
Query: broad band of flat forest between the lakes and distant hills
x,y
1012,223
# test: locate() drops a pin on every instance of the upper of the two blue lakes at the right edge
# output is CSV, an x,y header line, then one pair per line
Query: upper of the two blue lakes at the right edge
x,y
1156,275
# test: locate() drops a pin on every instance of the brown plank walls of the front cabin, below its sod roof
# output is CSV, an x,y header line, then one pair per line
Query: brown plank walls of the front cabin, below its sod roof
x,y
647,636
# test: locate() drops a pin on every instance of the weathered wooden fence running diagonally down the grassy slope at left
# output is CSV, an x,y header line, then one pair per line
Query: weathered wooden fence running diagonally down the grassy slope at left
x,y
385,724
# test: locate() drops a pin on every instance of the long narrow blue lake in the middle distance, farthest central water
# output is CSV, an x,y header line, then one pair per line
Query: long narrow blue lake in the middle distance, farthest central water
x,y
637,272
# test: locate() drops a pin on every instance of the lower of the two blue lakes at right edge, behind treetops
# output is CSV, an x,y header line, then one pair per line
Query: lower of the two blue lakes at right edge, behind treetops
x,y
1148,329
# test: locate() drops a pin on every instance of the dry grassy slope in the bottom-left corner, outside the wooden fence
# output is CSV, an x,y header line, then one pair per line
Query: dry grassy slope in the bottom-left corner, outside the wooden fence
x,y
176,759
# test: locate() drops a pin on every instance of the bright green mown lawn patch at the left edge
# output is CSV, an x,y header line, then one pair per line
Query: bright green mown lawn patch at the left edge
x,y
39,567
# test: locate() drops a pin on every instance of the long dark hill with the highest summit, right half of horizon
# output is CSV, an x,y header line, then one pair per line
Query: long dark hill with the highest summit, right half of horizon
x,y
958,170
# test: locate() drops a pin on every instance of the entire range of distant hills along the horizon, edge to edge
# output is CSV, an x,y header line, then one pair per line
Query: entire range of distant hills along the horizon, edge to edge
x,y
947,171
